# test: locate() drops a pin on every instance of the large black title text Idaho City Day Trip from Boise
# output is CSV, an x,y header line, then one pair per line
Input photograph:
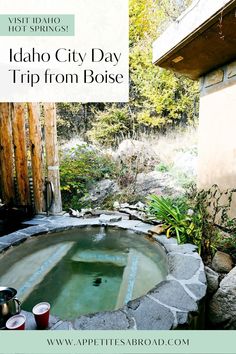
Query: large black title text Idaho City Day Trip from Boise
x,y
66,55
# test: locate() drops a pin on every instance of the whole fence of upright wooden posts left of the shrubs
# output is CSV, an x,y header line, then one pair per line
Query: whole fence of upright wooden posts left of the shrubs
x,y
29,154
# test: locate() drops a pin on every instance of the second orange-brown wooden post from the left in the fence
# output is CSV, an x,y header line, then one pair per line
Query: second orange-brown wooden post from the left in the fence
x,y
19,139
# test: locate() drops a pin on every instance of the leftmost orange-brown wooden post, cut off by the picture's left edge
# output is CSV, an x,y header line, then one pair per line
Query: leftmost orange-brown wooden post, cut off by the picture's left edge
x,y
6,154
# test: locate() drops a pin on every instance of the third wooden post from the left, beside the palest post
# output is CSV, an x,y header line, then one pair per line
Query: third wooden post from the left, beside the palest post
x,y
35,136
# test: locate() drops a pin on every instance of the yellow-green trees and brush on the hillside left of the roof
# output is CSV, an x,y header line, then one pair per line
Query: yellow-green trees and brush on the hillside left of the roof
x,y
159,100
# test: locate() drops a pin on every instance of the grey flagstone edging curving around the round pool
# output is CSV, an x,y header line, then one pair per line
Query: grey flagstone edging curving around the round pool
x,y
173,303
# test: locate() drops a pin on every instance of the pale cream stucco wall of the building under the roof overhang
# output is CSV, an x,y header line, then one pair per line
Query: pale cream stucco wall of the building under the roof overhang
x,y
217,130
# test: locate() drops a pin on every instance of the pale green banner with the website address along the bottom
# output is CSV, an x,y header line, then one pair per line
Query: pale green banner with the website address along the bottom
x,y
117,342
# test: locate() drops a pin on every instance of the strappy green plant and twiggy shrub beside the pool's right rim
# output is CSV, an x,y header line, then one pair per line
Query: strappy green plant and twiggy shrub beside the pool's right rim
x,y
198,218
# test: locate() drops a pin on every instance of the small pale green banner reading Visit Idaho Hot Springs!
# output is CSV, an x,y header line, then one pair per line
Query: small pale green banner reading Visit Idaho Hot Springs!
x,y
37,25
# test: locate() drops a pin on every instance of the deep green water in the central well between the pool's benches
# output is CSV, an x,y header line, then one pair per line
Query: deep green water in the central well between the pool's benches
x,y
76,288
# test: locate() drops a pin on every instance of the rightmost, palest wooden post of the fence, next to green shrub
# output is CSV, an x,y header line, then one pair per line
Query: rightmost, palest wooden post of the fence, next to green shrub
x,y
52,158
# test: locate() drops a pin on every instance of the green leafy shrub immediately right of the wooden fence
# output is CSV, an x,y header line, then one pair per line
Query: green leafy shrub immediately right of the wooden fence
x,y
80,167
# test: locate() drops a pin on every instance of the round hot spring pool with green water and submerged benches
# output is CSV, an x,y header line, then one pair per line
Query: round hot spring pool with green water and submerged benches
x,y
83,270
